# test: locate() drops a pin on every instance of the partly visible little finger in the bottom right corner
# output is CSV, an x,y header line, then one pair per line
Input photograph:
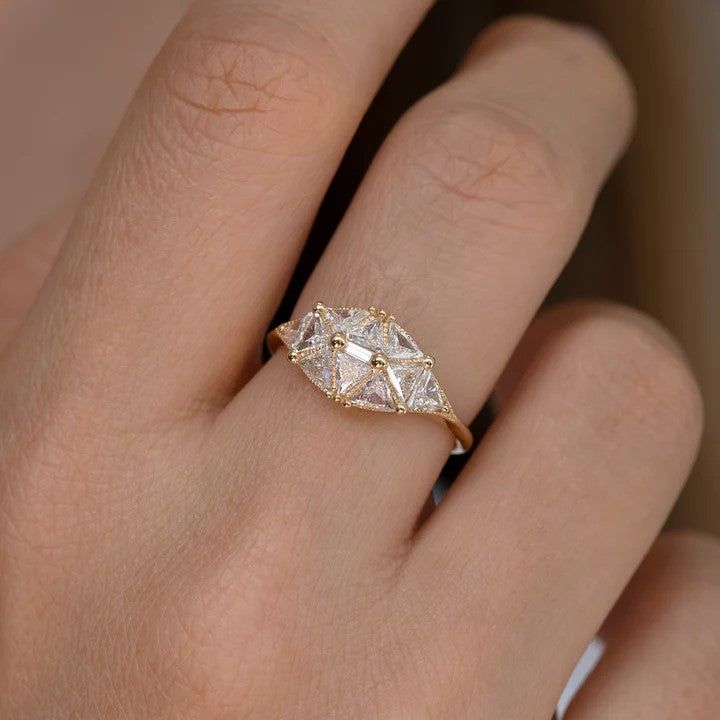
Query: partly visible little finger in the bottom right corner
x,y
663,640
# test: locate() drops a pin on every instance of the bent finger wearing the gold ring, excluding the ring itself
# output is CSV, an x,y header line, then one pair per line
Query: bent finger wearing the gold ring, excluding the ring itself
x,y
465,218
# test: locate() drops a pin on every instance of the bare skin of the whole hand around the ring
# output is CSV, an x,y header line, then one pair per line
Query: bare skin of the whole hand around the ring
x,y
187,534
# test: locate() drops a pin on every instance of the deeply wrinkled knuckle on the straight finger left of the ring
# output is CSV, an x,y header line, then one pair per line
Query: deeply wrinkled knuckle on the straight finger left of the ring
x,y
260,83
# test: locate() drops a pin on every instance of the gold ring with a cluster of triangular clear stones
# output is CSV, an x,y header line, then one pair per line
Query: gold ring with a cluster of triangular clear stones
x,y
362,358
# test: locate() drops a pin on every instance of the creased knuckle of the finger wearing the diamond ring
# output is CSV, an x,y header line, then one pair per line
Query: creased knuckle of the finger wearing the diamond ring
x,y
473,161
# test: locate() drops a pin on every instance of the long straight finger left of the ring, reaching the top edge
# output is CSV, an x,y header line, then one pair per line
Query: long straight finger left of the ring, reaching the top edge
x,y
182,249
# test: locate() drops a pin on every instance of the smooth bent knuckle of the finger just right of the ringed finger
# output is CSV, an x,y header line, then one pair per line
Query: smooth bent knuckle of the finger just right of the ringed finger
x,y
636,365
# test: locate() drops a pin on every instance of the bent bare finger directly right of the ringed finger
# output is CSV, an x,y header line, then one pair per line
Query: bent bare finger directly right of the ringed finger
x,y
559,504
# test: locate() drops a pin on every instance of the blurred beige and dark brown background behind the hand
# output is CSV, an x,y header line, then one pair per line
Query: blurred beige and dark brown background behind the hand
x,y
69,67
